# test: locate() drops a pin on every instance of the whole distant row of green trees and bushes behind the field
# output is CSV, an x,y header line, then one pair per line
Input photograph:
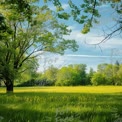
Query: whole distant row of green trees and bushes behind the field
x,y
75,75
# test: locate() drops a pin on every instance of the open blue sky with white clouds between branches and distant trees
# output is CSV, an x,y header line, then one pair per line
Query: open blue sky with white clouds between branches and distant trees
x,y
89,54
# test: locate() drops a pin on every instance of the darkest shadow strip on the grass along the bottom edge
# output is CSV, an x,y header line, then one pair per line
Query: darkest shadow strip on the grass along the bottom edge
x,y
25,115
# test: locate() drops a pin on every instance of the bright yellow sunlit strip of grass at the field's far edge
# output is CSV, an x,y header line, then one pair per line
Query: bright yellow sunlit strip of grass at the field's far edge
x,y
79,89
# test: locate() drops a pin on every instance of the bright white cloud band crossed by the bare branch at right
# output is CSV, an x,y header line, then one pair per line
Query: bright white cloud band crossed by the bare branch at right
x,y
95,38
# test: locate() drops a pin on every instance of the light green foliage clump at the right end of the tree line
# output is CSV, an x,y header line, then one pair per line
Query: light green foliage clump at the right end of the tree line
x,y
107,74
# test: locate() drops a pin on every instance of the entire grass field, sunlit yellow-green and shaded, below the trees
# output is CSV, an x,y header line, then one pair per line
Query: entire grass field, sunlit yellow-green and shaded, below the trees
x,y
62,104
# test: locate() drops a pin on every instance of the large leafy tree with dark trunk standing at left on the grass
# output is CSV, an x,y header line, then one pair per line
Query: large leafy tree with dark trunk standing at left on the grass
x,y
29,37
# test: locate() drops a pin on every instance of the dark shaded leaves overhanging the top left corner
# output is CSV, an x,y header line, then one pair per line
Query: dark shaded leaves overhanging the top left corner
x,y
22,7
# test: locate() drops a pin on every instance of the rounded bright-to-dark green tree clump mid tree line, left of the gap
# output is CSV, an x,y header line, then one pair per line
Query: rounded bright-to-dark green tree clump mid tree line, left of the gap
x,y
72,75
